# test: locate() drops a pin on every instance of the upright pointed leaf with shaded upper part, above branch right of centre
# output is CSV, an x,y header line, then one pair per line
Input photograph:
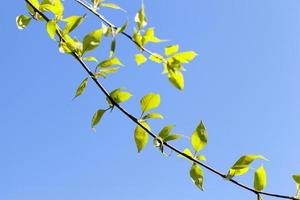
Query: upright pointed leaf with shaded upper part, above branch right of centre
x,y
199,137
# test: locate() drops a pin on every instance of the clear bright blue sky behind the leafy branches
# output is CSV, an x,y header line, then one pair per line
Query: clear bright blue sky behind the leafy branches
x,y
244,84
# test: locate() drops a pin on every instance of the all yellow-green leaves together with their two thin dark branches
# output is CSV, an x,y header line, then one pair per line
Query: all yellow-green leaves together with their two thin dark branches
x,y
172,62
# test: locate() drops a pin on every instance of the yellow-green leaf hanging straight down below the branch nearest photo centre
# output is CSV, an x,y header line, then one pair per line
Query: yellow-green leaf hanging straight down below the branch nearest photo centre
x,y
141,136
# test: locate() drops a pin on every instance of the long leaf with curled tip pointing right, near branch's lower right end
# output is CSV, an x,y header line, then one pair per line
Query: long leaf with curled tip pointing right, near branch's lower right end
x,y
242,165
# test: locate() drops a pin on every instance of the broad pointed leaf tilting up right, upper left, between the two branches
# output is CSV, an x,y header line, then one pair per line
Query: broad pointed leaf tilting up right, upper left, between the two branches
x,y
92,40
